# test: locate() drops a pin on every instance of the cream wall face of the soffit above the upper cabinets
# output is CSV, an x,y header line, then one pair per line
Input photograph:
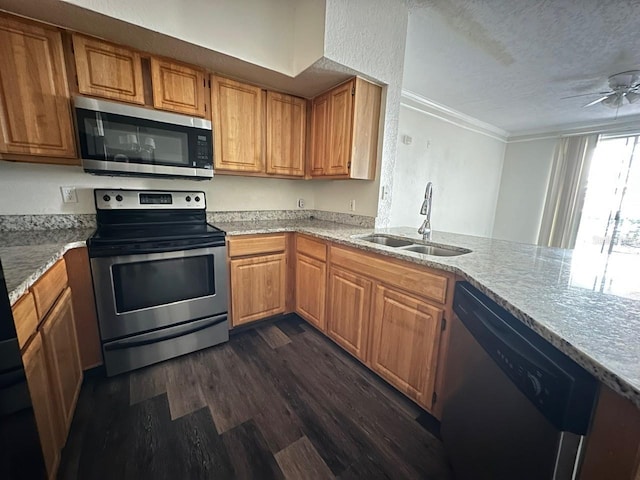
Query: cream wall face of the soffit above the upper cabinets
x,y
257,31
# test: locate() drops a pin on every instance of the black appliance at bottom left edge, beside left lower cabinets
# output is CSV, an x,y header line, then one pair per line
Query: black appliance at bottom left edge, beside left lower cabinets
x,y
20,451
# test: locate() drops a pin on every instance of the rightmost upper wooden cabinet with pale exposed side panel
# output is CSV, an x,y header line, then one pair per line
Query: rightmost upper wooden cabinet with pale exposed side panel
x,y
345,123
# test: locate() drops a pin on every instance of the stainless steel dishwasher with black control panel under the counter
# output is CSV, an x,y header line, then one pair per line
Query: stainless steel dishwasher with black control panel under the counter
x,y
515,406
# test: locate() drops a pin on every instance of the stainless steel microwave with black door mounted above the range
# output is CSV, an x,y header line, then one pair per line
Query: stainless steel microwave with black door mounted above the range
x,y
118,139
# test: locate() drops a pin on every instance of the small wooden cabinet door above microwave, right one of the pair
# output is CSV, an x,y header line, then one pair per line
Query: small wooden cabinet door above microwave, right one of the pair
x,y
177,88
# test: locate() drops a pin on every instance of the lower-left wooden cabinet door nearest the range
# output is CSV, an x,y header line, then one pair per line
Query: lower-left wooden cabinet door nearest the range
x,y
63,357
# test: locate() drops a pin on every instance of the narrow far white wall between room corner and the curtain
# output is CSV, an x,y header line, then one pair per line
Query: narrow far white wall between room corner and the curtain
x,y
523,188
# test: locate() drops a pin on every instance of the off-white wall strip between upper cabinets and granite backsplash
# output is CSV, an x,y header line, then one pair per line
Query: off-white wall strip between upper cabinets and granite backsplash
x,y
35,189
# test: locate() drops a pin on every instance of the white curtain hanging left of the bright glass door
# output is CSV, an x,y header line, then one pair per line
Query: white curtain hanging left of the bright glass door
x,y
566,191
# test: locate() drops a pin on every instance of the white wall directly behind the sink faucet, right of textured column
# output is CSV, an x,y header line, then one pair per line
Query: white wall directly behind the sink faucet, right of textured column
x,y
464,166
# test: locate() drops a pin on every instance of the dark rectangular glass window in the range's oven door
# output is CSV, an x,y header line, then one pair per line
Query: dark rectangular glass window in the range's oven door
x,y
149,284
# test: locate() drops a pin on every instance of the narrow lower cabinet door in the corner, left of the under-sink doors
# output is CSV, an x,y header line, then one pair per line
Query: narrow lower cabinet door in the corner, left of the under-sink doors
x,y
311,278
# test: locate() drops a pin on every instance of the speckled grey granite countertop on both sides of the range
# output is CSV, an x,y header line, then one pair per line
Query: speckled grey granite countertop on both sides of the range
x,y
587,305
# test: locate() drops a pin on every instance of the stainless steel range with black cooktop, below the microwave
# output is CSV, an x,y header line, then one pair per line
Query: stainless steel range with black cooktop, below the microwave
x,y
159,276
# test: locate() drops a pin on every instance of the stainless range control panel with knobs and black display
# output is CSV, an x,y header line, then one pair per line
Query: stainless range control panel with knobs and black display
x,y
149,199
